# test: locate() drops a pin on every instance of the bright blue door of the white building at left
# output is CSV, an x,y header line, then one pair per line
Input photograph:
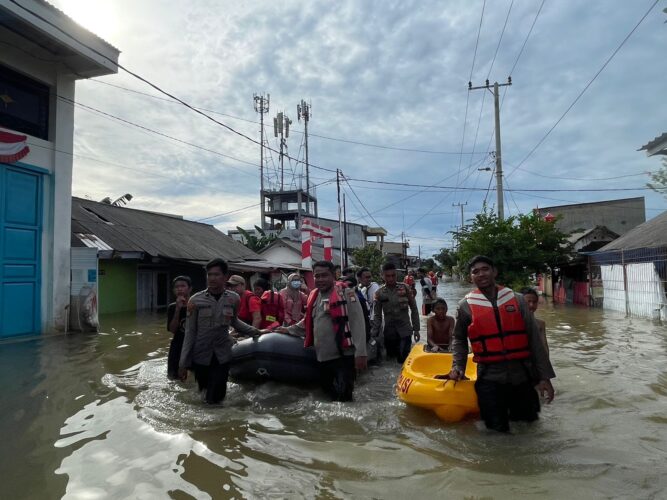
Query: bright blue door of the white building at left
x,y
20,244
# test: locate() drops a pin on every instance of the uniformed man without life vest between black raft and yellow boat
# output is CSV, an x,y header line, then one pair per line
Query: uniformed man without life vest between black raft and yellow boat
x,y
401,316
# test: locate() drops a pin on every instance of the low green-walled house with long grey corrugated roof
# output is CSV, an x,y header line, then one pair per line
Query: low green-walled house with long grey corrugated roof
x,y
139,253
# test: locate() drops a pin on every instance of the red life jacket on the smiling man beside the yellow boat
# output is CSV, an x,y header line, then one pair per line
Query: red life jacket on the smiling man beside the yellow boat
x,y
497,333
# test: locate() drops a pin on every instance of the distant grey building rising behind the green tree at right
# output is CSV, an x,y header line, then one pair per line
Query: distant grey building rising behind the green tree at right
x,y
619,216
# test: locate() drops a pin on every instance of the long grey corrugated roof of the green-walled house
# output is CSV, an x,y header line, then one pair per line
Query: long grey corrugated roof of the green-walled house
x,y
129,230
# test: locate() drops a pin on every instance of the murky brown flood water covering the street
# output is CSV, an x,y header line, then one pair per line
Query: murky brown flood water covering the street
x,y
94,416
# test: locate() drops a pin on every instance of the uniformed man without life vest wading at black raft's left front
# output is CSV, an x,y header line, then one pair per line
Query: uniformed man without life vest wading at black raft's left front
x,y
207,349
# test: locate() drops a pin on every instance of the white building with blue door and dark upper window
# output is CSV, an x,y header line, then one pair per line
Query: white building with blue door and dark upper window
x,y
42,54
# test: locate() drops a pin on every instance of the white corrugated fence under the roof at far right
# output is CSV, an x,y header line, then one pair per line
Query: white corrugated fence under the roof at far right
x,y
633,282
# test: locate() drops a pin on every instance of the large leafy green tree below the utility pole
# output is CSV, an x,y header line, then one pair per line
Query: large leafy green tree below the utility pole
x,y
519,245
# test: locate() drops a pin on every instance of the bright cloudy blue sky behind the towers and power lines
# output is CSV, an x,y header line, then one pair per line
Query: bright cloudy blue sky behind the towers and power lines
x,y
388,83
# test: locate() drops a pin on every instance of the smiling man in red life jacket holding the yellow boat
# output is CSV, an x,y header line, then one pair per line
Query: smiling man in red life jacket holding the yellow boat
x,y
507,348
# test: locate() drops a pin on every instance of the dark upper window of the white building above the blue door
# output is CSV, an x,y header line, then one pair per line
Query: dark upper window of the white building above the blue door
x,y
24,104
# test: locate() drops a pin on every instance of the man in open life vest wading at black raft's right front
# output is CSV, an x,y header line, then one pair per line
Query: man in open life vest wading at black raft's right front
x,y
334,323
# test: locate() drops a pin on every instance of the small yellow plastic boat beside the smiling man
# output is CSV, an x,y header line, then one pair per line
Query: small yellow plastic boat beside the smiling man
x,y
417,385
